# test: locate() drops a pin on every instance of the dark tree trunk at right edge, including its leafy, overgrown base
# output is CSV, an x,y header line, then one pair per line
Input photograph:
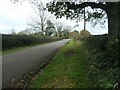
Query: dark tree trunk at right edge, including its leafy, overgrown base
x,y
114,30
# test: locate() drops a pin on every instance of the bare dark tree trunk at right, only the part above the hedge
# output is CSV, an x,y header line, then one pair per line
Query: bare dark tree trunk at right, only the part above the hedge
x,y
112,12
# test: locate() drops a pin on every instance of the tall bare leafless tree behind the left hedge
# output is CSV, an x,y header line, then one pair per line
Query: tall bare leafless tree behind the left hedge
x,y
39,20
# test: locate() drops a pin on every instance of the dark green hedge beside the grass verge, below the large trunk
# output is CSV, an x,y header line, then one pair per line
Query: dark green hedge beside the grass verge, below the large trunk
x,y
104,69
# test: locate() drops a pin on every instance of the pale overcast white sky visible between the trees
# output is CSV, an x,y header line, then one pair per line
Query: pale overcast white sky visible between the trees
x,y
16,16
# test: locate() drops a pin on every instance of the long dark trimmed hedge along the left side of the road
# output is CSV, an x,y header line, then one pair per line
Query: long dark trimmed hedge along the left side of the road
x,y
13,41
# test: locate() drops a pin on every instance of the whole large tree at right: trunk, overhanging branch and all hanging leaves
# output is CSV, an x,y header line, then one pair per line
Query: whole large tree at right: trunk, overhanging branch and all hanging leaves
x,y
101,11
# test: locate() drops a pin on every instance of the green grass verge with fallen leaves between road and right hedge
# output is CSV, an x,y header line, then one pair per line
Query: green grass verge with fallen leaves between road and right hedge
x,y
68,69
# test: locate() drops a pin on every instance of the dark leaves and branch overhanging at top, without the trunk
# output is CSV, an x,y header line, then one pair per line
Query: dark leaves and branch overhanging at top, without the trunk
x,y
75,11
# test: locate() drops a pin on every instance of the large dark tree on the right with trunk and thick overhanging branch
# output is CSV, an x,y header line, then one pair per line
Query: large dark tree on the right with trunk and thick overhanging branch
x,y
73,9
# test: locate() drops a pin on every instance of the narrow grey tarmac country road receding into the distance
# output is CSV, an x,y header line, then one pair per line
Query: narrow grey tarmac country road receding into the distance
x,y
15,65
